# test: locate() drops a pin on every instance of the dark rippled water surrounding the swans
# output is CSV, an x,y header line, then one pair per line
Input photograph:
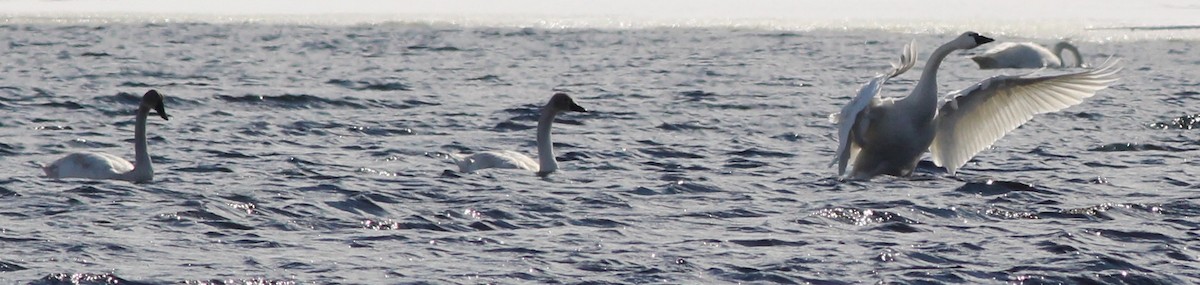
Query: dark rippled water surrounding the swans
x,y
311,155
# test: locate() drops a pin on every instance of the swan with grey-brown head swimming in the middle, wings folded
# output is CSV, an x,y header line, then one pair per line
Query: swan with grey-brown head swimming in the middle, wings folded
x,y
512,160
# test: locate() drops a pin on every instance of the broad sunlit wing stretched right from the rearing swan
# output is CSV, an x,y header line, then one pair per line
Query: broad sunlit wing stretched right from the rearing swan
x,y
974,119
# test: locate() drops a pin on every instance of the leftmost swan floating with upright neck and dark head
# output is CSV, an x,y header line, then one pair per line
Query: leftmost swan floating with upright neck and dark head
x,y
107,167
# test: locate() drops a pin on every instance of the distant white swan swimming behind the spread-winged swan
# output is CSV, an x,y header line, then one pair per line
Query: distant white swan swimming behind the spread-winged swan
x,y
1027,56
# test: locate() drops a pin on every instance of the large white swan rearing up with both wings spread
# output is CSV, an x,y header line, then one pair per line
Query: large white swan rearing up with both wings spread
x,y
887,137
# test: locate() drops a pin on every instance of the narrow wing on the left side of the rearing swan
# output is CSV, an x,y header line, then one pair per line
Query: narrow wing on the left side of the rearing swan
x,y
855,113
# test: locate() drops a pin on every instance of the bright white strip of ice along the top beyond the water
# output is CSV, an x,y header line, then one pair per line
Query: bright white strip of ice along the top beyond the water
x,y
1081,21
